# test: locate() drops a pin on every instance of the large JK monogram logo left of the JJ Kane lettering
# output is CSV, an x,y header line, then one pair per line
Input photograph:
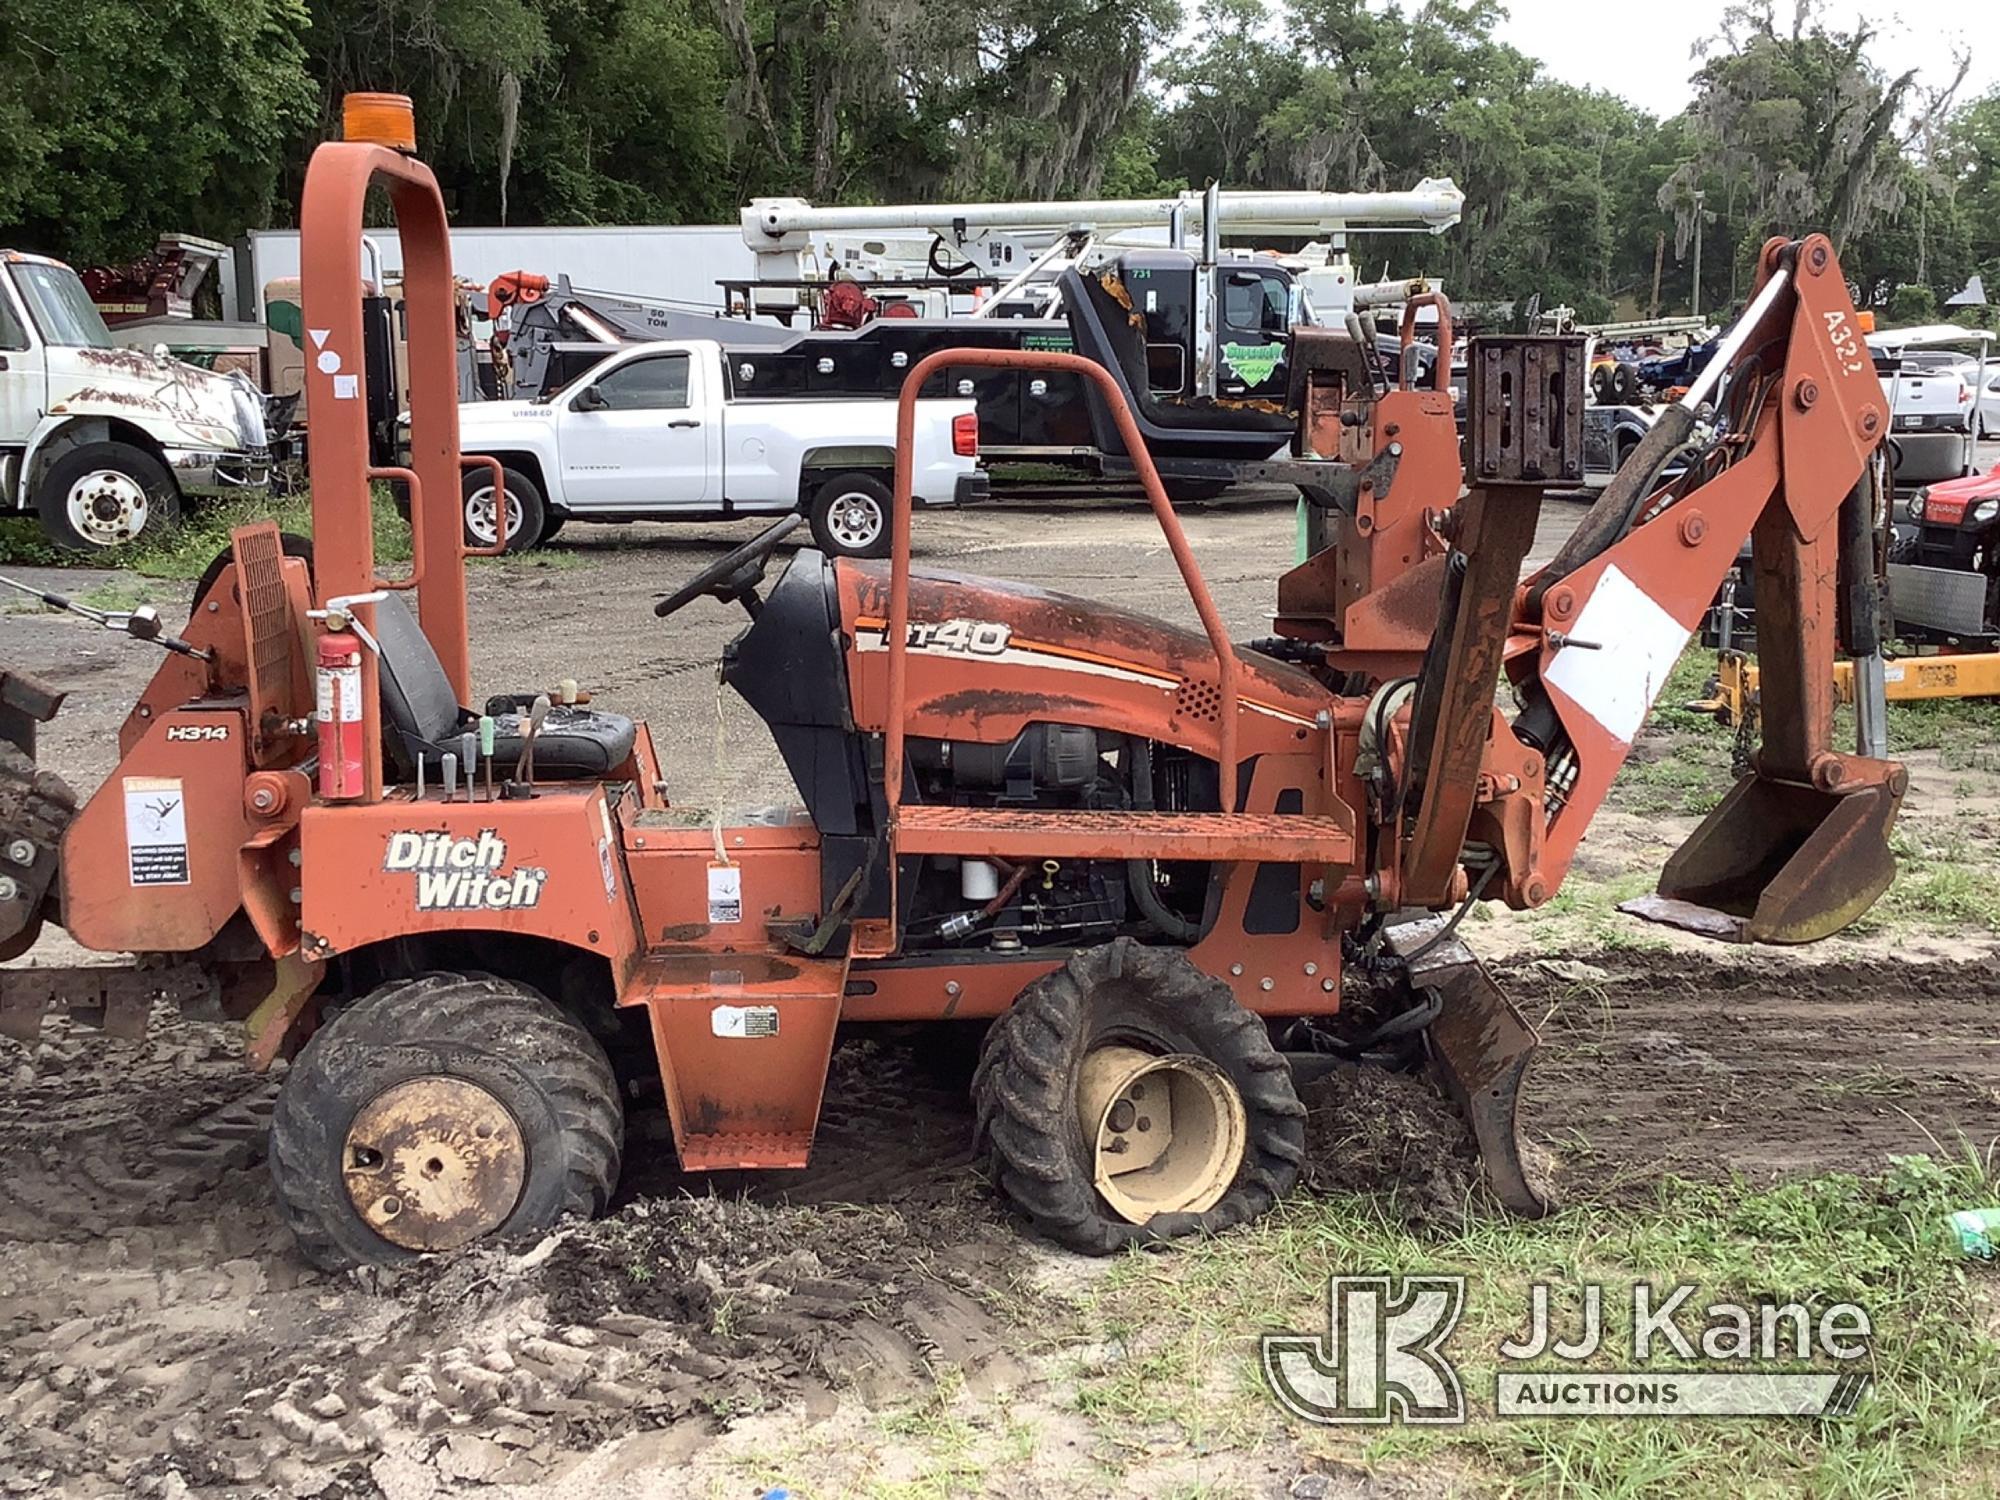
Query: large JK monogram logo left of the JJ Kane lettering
x,y
1383,1355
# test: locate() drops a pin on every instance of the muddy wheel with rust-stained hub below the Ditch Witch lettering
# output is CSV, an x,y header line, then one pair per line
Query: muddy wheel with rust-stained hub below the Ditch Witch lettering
x,y
443,1111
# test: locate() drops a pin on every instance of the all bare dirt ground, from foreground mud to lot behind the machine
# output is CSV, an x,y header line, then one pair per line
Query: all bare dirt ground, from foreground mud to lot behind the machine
x,y
161,1337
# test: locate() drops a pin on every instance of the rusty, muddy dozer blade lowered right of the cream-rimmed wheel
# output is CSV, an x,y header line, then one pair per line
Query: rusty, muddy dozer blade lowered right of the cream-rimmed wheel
x,y
1479,1053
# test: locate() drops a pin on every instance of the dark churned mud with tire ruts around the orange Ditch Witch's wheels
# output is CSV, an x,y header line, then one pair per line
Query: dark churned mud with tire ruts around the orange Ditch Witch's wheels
x,y
161,1337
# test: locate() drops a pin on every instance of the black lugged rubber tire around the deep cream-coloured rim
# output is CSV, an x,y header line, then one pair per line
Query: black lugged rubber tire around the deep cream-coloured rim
x,y
1153,999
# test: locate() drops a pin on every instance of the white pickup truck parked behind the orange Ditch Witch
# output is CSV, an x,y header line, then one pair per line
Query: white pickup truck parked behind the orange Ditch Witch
x,y
655,433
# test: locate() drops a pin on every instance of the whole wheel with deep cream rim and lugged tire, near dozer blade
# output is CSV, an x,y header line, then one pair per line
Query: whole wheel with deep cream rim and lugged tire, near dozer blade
x,y
1037,1073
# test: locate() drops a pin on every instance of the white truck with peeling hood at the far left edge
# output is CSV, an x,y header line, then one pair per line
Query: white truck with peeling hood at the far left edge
x,y
109,443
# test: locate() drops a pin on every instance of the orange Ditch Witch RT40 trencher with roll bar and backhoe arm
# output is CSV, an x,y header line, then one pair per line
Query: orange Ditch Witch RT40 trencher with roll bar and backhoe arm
x,y
1157,861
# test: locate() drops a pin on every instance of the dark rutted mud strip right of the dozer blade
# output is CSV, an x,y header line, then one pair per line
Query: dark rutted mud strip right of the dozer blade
x,y
1707,1069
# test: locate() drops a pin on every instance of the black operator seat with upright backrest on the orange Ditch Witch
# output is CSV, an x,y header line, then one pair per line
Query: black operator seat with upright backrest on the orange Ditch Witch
x,y
423,717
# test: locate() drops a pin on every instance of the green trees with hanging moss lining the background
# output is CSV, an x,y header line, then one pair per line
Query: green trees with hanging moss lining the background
x,y
119,123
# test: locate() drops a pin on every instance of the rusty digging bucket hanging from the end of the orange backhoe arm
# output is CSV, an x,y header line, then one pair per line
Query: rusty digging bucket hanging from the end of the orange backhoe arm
x,y
1781,861
